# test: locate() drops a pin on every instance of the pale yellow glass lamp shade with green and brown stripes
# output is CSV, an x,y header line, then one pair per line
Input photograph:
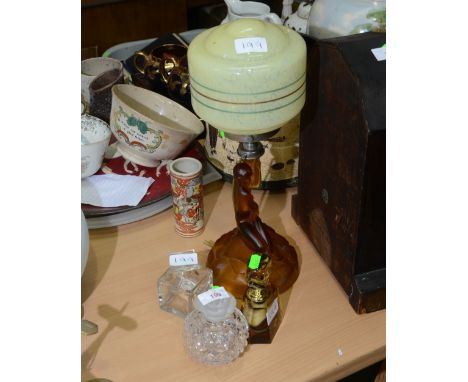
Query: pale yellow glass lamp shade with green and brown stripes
x,y
247,77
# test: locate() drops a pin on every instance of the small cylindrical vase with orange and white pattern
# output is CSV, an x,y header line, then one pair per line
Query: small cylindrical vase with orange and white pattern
x,y
187,196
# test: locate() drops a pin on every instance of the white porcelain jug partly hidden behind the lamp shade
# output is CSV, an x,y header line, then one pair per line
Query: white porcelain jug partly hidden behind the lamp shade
x,y
250,9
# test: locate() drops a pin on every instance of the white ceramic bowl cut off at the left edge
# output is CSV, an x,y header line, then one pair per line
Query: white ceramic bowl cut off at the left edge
x,y
95,136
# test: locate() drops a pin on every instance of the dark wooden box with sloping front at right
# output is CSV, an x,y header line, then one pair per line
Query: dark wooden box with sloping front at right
x,y
340,202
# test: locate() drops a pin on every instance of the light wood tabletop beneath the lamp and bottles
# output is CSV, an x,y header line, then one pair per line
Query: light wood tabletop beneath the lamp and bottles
x,y
321,338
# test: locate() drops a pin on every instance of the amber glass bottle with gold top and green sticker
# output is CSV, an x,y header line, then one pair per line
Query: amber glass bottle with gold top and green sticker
x,y
261,304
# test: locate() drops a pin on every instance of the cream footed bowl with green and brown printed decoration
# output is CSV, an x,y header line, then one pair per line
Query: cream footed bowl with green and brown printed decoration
x,y
150,127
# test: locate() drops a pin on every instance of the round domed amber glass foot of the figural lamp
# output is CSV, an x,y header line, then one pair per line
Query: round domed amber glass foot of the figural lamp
x,y
229,257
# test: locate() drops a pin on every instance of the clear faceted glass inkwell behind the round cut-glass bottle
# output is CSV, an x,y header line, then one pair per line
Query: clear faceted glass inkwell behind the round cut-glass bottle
x,y
179,285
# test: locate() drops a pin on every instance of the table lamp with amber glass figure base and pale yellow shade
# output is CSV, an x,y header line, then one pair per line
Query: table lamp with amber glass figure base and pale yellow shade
x,y
247,79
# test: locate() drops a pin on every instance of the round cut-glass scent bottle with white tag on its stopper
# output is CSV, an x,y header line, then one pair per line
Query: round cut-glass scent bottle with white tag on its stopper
x,y
215,331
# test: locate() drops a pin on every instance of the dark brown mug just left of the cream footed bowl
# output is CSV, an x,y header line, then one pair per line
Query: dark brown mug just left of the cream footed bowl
x,y
100,91
